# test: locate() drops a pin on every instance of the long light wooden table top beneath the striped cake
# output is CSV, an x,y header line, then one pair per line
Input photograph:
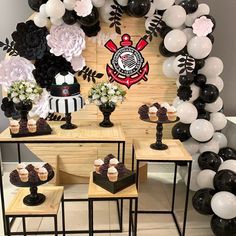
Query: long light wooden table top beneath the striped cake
x,y
86,131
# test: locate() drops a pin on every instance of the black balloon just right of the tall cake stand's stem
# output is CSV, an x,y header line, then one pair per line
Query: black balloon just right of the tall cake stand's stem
x,y
181,131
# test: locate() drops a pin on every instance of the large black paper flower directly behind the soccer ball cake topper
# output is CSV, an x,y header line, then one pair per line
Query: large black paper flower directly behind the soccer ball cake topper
x,y
48,67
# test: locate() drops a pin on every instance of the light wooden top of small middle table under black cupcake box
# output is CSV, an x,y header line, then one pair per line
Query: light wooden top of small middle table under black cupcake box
x,y
96,191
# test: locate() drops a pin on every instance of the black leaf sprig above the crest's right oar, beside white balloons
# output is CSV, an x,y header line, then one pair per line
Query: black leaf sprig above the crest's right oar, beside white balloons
x,y
154,28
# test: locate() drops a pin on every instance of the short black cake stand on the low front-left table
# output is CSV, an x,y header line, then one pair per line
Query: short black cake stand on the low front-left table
x,y
34,198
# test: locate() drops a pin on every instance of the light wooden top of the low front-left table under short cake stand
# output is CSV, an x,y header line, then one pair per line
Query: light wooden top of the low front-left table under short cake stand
x,y
49,207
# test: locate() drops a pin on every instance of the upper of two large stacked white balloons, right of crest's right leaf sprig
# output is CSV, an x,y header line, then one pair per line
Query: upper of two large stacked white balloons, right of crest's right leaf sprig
x,y
174,16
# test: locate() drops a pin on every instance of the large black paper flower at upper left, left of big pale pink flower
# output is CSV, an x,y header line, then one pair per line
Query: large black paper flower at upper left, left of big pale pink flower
x,y
30,40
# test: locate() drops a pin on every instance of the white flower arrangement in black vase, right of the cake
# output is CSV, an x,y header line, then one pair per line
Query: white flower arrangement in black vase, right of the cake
x,y
106,96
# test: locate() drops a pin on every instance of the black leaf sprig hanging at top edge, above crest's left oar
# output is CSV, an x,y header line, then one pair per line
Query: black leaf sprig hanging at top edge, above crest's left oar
x,y
116,15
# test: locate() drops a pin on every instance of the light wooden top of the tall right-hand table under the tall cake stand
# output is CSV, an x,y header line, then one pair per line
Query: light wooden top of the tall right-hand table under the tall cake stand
x,y
175,152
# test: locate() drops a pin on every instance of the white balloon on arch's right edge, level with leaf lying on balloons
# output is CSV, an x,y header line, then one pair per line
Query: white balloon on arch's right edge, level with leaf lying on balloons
x,y
213,67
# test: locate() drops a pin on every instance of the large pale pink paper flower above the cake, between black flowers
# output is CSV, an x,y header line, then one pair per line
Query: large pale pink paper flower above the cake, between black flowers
x,y
66,40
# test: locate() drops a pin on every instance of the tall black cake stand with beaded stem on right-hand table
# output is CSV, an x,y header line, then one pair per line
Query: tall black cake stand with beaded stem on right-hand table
x,y
158,145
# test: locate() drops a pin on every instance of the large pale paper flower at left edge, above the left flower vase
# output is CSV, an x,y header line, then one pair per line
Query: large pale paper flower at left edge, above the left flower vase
x,y
15,68
